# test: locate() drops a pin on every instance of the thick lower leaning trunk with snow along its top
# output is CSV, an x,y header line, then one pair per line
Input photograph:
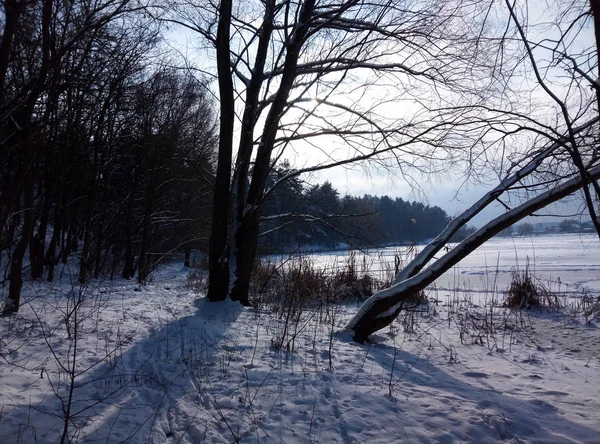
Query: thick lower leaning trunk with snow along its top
x,y
381,309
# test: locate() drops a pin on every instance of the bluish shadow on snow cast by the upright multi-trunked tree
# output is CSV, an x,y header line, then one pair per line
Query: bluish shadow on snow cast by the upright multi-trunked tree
x,y
130,397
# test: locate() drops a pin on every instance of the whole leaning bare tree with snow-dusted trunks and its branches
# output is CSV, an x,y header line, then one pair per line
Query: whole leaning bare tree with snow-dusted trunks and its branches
x,y
563,158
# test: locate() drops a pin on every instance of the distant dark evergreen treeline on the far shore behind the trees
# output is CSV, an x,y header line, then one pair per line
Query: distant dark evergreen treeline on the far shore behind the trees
x,y
300,215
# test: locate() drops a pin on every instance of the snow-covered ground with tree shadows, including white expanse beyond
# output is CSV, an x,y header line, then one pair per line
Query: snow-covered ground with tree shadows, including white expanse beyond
x,y
115,362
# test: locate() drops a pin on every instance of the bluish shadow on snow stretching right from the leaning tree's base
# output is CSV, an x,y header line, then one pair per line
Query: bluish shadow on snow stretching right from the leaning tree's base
x,y
504,416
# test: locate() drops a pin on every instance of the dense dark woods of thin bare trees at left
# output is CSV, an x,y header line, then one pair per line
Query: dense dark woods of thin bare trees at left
x,y
105,154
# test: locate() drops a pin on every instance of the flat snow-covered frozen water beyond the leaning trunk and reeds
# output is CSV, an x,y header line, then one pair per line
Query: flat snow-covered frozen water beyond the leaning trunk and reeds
x,y
566,262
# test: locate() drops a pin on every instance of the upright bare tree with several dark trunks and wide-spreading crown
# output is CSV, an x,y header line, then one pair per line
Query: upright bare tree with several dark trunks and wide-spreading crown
x,y
348,80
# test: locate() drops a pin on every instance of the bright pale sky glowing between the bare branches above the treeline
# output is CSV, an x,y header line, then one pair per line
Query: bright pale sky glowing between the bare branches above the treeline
x,y
397,98
